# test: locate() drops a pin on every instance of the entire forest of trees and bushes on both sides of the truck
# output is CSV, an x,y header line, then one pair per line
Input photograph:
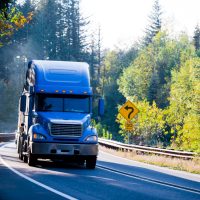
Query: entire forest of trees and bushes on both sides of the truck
x,y
160,73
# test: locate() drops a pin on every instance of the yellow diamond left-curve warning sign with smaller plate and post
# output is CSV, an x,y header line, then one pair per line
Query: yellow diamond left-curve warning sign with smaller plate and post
x,y
128,111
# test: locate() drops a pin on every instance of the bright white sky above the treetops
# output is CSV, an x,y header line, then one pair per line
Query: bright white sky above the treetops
x,y
123,22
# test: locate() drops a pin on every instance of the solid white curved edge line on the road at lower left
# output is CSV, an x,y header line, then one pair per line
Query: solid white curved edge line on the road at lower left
x,y
37,183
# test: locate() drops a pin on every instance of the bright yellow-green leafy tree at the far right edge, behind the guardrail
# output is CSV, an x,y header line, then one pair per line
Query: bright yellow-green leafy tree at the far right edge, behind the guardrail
x,y
184,116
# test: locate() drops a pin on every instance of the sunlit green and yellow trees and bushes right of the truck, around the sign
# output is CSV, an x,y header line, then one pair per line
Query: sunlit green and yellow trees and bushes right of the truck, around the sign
x,y
162,78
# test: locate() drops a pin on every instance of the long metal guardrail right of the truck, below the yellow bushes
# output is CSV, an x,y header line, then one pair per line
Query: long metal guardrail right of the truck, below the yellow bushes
x,y
146,150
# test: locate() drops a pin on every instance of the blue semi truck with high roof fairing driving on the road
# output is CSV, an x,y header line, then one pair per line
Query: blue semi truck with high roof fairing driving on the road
x,y
55,110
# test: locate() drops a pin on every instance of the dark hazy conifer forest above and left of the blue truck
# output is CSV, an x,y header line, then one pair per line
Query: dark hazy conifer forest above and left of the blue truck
x,y
55,32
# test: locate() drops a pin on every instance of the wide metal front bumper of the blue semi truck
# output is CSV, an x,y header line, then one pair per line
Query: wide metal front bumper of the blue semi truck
x,y
57,149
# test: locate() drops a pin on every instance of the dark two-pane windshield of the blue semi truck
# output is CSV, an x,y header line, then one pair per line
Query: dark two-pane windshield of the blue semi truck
x,y
63,103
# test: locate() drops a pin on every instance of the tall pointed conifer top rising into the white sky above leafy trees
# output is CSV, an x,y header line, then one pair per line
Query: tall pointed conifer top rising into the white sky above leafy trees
x,y
155,23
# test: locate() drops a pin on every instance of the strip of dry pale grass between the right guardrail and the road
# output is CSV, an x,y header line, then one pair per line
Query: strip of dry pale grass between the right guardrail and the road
x,y
192,165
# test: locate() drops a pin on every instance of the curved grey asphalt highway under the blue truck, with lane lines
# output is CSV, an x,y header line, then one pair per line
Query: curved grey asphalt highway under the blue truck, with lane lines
x,y
114,178
